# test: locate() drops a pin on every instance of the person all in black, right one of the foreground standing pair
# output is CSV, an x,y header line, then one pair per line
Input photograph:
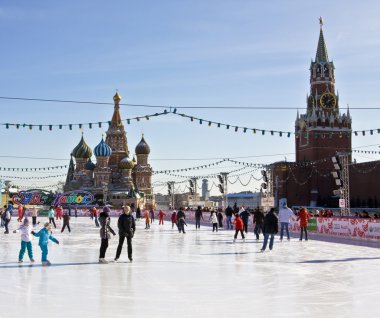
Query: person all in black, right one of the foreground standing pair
x,y
127,227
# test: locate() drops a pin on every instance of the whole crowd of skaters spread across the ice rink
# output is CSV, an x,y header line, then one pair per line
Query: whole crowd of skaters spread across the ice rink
x,y
233,218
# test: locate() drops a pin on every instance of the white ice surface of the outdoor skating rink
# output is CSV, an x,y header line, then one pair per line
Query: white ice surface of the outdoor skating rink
x,y
197,274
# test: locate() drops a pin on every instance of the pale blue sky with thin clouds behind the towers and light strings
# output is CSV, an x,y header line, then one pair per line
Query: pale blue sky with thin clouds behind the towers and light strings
x,y
184,54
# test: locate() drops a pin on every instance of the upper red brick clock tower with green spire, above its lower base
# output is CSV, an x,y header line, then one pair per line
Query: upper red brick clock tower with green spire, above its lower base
x,y
323,130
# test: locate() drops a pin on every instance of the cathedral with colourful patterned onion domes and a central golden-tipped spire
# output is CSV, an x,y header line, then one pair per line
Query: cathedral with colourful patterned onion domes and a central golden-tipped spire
x,y
115,177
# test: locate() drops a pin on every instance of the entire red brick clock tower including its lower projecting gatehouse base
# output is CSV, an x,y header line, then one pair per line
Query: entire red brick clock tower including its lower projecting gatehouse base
x,y
319,134
